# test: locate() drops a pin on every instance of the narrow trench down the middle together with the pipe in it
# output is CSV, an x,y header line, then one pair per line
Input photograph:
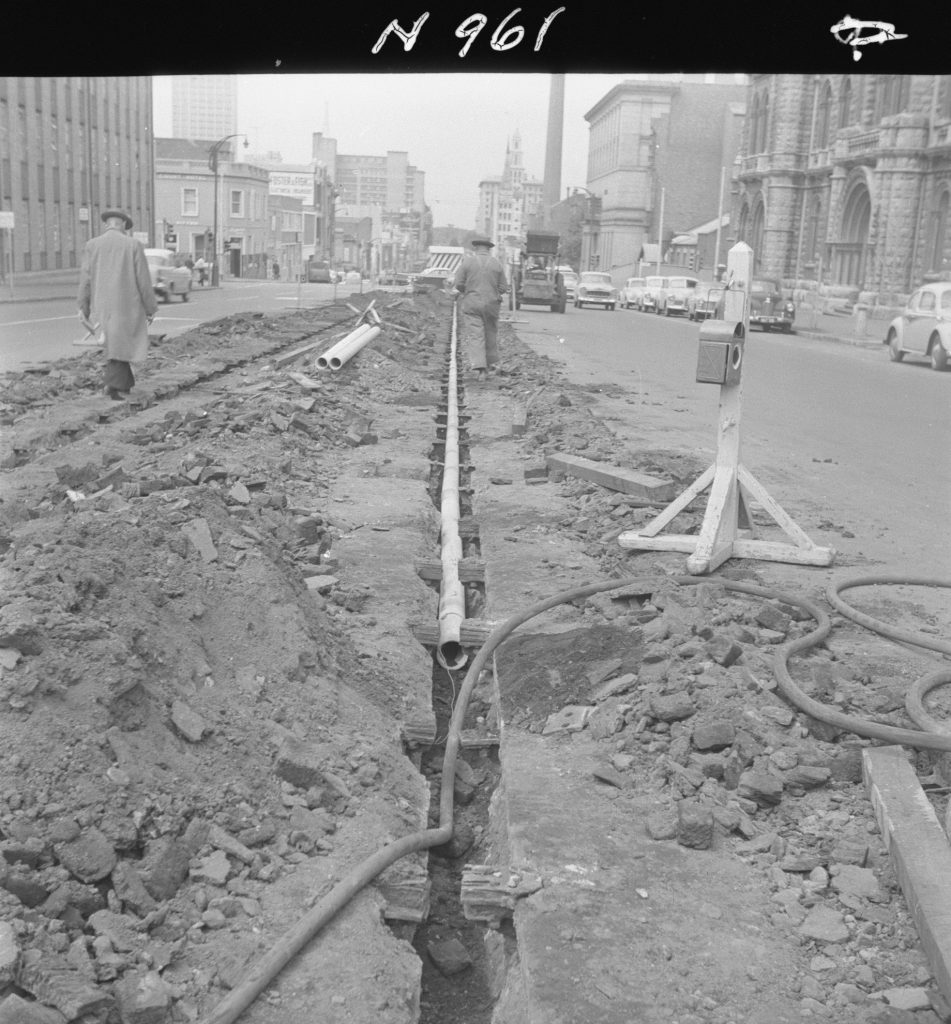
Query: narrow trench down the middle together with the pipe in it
x,y
459,984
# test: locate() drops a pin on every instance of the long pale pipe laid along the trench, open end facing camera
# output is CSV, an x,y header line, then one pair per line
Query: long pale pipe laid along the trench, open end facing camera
x,y
450,652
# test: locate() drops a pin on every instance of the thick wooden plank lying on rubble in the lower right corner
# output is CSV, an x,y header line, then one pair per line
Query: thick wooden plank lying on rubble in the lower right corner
x,y
919,849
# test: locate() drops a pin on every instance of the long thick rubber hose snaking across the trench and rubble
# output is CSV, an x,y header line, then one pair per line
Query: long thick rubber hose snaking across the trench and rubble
x,y
271,965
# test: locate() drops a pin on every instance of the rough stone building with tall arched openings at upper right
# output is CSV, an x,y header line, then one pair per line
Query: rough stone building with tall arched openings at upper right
x,y
846,180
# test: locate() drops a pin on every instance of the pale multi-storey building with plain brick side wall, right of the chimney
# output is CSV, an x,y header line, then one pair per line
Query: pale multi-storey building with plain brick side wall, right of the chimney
x,y
653,136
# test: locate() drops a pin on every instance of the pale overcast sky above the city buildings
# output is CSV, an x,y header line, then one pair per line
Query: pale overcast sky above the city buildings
x,y
455,127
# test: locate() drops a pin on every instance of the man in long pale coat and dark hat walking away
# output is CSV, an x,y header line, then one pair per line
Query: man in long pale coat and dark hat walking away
x,y
115,291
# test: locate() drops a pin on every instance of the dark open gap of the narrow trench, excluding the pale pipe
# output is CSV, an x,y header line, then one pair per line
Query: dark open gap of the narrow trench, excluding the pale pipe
x,y
460,976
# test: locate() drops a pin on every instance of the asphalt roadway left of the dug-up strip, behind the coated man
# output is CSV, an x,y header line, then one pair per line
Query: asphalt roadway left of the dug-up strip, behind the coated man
x,y
35,333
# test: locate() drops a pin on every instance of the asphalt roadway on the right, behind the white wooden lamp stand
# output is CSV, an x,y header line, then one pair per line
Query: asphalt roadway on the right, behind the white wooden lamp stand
x,y
836,434
